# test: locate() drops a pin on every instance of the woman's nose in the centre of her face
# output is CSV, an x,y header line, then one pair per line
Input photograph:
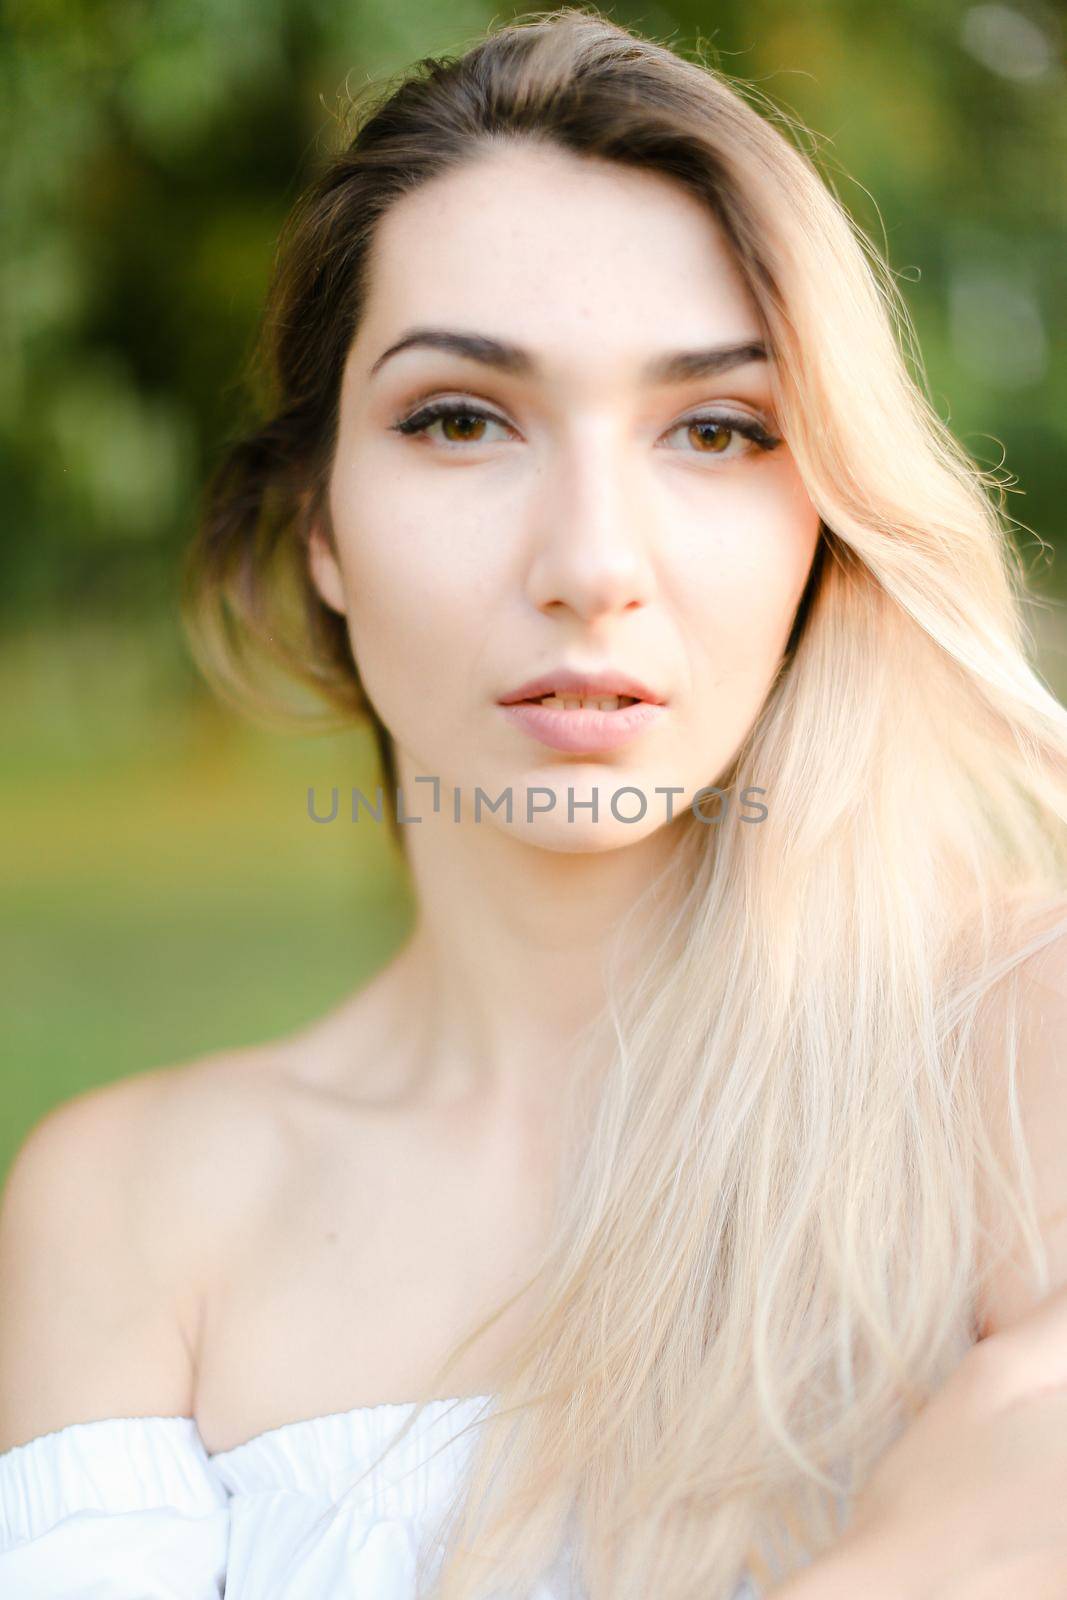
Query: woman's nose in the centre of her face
x,y
591,540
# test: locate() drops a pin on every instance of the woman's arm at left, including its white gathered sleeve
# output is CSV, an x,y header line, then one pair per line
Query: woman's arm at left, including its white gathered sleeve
x,y
105,1482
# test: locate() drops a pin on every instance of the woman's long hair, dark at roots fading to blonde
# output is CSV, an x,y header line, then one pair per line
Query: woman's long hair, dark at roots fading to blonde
x,y
769,1238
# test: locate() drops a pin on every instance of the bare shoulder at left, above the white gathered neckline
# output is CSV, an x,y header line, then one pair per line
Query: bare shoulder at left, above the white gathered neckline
x,y
110,1220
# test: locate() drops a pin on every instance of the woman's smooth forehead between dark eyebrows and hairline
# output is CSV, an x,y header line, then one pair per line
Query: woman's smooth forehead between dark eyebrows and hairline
x,y
561,254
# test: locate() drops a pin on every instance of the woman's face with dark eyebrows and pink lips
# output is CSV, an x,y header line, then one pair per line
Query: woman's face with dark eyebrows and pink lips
x,y
577,511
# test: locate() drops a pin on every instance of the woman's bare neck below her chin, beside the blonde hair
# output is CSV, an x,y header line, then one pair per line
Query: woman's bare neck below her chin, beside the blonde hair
x,y
505,969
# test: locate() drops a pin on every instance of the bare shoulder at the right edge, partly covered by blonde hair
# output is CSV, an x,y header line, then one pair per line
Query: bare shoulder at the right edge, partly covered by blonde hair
x,y
1033,1015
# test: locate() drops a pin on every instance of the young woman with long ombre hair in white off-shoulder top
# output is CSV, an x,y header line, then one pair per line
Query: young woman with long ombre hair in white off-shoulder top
x,y
636,1230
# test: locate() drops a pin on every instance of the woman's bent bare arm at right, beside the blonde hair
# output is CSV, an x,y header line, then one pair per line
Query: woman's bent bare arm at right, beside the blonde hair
x,y
972,1502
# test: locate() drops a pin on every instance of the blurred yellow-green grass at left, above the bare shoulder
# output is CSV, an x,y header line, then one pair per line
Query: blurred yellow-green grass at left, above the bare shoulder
x,y
166,889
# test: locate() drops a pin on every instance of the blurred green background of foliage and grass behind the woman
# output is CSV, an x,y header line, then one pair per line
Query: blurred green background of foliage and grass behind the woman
x,y
166,894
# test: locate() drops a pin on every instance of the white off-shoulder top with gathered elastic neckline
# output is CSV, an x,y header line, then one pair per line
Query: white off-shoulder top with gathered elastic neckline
x,y
138,1510
